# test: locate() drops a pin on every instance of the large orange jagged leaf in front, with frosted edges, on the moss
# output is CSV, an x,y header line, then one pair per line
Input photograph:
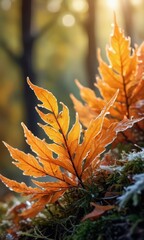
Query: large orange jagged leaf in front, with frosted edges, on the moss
x,y
71,155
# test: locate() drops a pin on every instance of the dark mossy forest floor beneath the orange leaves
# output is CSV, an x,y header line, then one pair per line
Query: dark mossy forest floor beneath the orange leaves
x,y
62,220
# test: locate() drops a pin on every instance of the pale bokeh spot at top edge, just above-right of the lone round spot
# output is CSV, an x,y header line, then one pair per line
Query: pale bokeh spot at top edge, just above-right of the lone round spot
x,y
79,5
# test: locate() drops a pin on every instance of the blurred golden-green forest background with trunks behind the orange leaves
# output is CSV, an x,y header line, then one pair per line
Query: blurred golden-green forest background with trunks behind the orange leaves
x,y
53,42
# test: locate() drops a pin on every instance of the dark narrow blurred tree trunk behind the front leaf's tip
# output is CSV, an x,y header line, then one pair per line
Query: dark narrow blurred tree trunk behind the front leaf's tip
x,y
27,65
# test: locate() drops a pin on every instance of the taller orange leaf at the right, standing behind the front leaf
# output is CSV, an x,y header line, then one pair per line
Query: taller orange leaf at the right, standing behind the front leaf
x,y
125,73
